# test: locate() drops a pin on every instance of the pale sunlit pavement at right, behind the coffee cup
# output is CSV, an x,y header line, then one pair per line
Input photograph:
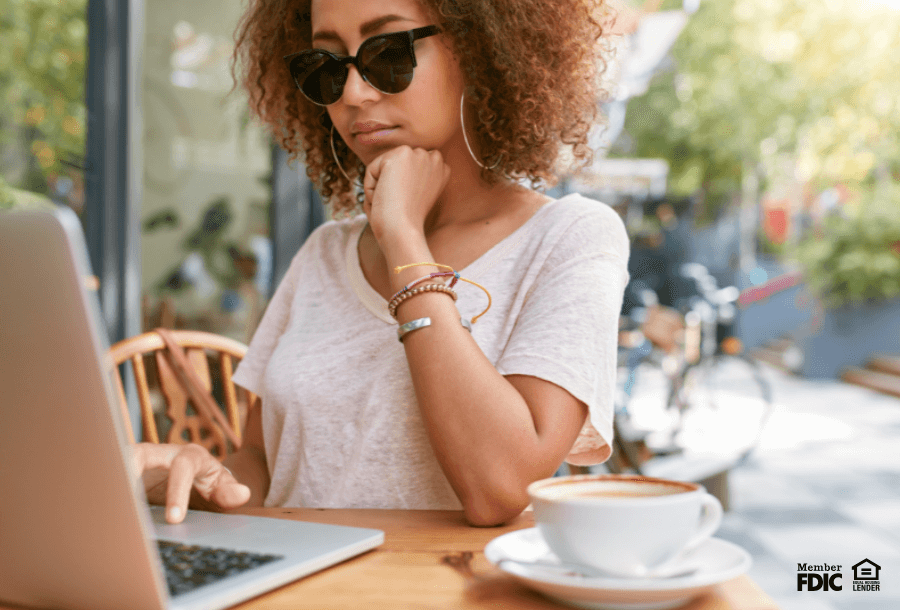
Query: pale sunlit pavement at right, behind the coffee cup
x,y
822,488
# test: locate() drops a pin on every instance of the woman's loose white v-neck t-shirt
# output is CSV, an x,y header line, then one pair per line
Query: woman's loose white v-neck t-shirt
x,y
341,424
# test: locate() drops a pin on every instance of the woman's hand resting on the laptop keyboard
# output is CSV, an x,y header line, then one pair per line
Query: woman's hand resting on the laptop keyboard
x,y
170,472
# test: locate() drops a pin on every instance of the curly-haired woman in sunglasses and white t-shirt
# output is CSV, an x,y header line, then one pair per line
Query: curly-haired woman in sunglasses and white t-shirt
x,y
440,109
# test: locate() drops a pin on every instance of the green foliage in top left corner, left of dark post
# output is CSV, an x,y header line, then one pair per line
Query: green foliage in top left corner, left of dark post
x,y
42,72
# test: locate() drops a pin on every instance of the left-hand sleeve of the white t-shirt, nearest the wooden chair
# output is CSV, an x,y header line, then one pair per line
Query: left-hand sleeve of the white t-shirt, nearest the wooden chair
x,y
250,371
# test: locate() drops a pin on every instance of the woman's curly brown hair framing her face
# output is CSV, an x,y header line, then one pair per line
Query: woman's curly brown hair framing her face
x,y
531,67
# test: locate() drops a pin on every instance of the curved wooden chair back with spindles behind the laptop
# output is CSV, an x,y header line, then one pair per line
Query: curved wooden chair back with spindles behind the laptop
x,y
167,410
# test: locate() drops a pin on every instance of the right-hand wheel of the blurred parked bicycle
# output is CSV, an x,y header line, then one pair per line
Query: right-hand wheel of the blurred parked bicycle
x,y
726,402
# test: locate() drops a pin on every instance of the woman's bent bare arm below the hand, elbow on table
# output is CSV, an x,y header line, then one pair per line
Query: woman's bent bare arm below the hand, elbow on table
x,y
484,432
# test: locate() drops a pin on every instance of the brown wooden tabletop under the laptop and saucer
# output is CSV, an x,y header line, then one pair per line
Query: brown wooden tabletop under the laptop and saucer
x,y
432,559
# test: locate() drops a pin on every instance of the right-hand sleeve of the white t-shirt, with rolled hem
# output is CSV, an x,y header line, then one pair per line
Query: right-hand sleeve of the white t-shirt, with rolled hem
x,y
567,330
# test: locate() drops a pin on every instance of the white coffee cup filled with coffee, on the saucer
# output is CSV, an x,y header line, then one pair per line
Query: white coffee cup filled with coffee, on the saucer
x,y
624,525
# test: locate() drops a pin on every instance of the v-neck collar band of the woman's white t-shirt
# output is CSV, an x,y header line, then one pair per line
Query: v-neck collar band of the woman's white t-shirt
x,y
377,305
